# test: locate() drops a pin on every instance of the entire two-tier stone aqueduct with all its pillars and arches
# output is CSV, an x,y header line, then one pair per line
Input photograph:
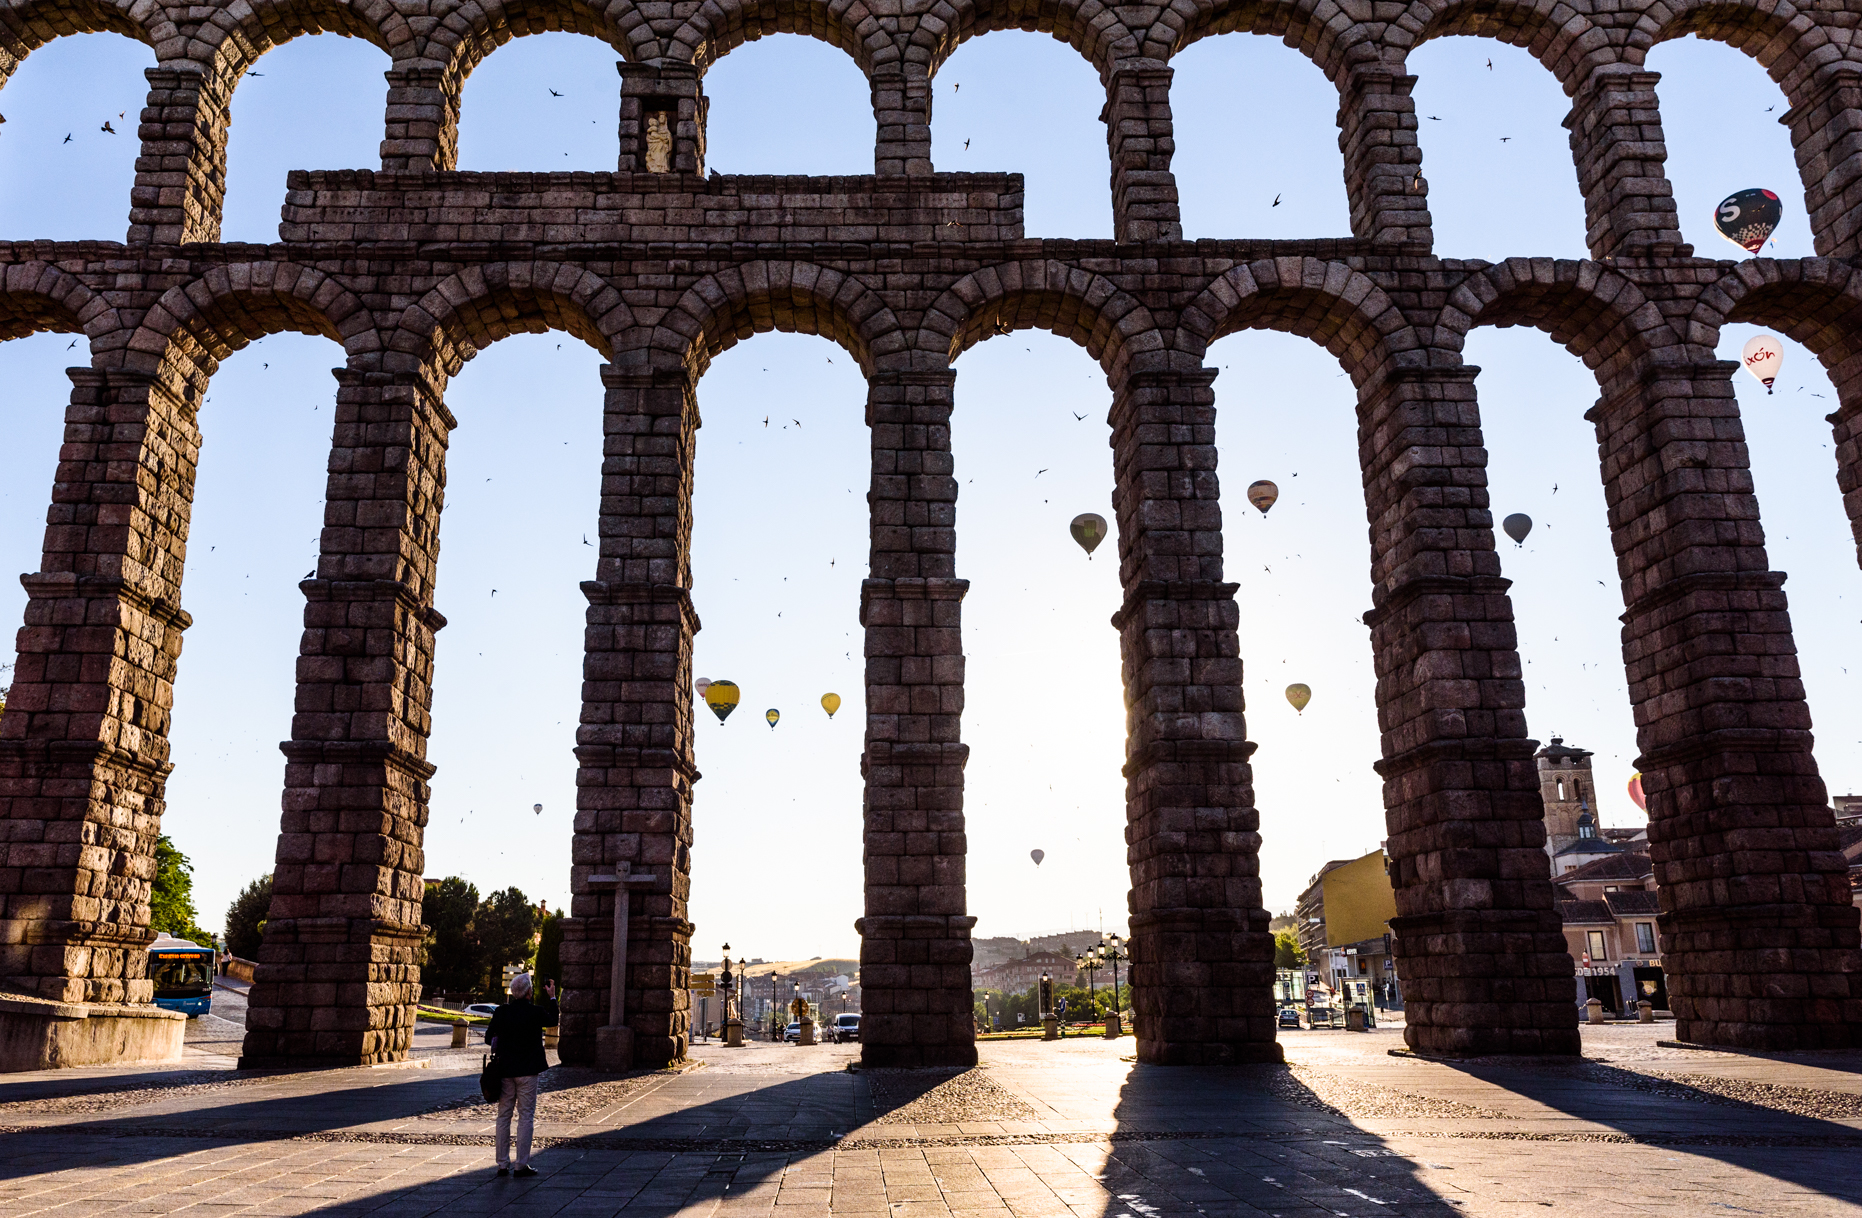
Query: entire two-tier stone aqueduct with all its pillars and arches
x,y
418,267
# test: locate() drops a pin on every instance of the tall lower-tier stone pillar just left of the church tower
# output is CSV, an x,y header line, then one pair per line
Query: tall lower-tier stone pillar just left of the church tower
x,y
1479,941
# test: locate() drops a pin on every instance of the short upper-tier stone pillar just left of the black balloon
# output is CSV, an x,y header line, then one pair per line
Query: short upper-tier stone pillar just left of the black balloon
x,y
1619,150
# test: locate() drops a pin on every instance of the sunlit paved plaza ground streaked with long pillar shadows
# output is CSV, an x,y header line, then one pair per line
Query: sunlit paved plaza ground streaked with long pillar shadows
x,y
1038,1130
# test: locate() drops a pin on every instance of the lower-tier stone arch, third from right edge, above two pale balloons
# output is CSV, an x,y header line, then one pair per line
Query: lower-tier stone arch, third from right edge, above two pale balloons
x,y
1327,303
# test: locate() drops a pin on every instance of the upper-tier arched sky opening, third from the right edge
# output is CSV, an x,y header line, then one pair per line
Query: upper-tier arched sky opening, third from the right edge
x,y
1241,176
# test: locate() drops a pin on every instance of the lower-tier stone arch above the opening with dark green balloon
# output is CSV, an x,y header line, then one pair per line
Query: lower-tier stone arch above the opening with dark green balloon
x,y
1077,304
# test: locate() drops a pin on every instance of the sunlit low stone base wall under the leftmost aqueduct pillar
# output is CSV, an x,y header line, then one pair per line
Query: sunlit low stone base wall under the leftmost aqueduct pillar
x,y
42,1035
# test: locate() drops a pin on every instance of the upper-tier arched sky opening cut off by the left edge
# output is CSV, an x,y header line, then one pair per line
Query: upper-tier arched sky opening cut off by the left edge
x,y
62,176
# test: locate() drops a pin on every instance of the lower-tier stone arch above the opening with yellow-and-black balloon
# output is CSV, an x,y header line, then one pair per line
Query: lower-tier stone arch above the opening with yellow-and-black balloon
x,y
735,304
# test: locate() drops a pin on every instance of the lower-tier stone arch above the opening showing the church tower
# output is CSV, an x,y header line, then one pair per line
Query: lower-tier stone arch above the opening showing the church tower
x,y
1597,314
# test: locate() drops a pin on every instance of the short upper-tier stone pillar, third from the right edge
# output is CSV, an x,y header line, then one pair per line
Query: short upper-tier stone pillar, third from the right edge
x,y
1383,161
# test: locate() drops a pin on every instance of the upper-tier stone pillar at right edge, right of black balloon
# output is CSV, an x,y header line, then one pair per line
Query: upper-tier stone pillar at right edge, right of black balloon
x,y
1826,120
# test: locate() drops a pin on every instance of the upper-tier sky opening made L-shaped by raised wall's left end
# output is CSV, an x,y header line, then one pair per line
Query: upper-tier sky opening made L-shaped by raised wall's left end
x,y
314,103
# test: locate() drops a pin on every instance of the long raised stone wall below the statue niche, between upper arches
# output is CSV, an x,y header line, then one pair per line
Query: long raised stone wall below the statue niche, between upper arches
x,y
364,206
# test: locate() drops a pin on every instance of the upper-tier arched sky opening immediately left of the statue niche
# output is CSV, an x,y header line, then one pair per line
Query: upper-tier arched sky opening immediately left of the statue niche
x,y
543,103
